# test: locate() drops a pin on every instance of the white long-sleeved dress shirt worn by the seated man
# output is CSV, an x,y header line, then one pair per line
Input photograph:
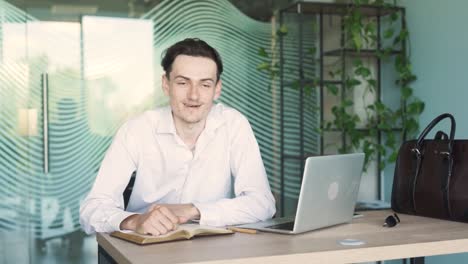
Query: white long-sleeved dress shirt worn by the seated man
x,y
226,163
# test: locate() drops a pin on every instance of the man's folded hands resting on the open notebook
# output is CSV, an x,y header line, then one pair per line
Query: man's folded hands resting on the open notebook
x,y
160,218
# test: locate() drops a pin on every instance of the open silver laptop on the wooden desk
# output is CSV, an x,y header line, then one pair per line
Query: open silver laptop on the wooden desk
x,y
328,195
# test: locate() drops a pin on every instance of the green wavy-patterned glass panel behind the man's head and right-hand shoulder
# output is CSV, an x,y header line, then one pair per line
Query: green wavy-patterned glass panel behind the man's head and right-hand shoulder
x,y
238,39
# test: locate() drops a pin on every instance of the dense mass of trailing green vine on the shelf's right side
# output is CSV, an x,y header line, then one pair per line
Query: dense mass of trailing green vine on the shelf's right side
x,y
361,31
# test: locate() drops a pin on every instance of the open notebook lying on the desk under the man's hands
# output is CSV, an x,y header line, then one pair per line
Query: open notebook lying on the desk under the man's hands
x,y
185,231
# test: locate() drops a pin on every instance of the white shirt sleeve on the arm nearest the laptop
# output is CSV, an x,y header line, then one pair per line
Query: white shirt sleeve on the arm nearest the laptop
x,y
253,199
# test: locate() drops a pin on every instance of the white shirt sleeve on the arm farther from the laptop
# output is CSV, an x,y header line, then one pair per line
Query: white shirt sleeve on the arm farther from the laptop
x,y
103,208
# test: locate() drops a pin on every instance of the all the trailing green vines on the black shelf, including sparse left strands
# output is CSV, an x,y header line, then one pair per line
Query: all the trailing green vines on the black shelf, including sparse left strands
x,y
380,119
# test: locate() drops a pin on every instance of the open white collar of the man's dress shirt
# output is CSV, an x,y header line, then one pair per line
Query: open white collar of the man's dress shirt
x,y
213,120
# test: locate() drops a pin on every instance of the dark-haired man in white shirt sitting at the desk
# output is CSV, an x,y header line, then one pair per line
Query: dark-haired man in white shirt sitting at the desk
x,y
189,157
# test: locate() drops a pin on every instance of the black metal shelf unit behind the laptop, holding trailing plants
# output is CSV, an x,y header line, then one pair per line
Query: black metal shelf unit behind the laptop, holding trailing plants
x,y
306,76
